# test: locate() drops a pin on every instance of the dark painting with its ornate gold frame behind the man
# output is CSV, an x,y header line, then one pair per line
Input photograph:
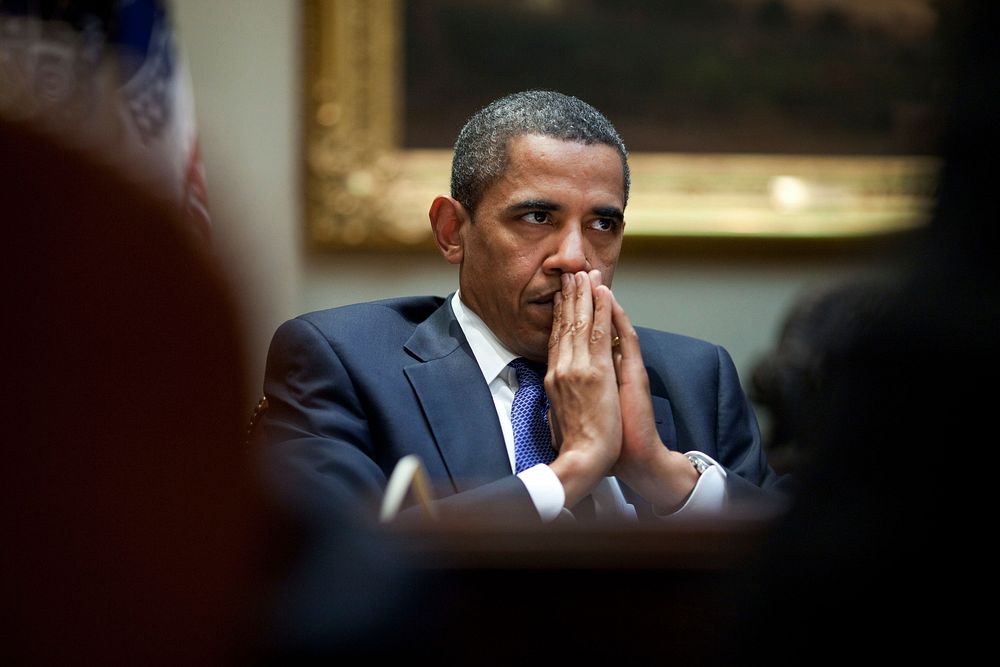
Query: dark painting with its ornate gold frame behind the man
x,y
766,121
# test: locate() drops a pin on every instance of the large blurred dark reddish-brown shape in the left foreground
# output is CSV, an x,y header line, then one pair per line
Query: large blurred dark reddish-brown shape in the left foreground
x,y
131,525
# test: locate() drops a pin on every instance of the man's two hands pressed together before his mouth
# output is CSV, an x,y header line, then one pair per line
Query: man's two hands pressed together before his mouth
x,y
601,411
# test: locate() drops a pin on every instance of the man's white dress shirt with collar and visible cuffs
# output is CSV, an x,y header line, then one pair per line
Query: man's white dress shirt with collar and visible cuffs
x,y
543,485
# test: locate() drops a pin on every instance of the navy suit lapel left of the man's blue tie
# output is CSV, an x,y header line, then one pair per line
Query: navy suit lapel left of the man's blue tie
x,y
456,402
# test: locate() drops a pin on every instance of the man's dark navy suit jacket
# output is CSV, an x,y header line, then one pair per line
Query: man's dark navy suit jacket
x,y
352,390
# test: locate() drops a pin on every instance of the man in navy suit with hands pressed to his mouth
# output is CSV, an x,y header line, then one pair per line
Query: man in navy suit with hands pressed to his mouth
x,y
643,423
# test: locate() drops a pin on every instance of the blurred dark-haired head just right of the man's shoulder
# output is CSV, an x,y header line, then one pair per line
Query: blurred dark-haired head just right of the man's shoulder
x,y
788,383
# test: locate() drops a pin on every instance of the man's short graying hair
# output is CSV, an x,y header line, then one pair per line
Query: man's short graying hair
x,y
480,156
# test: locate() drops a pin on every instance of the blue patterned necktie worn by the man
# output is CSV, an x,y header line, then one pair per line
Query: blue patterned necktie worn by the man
x,y
529,416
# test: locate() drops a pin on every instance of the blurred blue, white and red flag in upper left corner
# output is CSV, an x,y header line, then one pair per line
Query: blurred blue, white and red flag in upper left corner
x,y
111,75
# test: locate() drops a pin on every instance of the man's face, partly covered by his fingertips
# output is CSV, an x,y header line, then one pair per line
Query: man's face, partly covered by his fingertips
x,y
558,208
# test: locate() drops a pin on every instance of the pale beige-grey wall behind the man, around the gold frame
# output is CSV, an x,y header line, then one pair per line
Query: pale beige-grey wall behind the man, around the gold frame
x,y
244,57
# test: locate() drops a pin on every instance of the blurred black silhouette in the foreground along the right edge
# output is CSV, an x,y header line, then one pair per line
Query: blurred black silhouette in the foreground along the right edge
x,y
885,547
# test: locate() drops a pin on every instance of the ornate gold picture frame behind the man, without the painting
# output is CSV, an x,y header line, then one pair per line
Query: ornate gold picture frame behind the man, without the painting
x,y
363,190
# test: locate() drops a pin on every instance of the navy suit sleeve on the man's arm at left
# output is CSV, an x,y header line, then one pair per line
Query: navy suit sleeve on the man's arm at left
x,y
320,451
